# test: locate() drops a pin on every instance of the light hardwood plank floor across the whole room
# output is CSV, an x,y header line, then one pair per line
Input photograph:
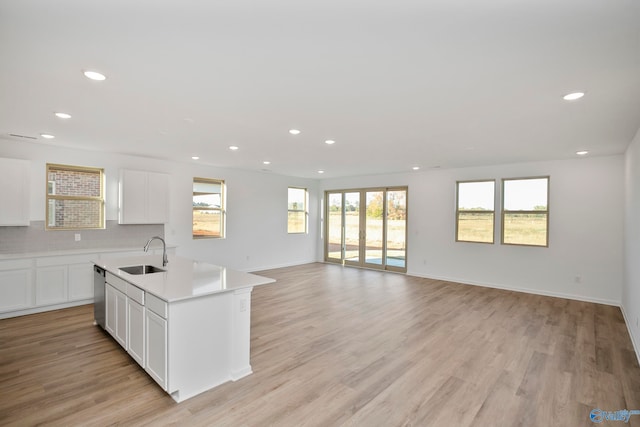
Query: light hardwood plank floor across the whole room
x,y
340,346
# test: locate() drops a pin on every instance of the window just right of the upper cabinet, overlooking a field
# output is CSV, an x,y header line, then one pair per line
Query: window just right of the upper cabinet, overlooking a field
x,y
208,208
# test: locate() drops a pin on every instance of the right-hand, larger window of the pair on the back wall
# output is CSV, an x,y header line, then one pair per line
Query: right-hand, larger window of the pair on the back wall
x,y
525,211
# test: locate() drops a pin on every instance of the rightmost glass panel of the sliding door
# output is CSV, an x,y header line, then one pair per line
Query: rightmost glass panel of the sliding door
x,y
396,221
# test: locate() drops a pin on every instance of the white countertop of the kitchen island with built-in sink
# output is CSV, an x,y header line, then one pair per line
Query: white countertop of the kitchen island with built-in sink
x,y
184,278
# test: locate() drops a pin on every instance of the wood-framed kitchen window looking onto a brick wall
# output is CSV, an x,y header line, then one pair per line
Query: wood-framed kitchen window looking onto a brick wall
x,y
75,198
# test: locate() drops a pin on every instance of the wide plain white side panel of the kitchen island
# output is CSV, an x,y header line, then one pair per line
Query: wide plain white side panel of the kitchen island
x,y
198,342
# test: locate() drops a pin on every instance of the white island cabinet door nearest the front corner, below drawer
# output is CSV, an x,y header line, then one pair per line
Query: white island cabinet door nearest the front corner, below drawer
x,y
156,348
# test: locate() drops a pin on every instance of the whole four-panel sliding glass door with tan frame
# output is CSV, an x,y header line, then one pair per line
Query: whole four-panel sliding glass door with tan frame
x,y
367,228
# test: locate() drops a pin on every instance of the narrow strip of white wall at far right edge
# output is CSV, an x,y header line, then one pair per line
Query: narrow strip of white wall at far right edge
x,y
631,287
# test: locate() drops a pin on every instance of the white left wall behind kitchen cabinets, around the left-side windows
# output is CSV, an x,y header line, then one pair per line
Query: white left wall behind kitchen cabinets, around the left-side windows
x,y
257,235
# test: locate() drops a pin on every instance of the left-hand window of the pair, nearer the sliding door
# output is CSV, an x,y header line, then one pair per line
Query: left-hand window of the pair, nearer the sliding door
x,y
475,211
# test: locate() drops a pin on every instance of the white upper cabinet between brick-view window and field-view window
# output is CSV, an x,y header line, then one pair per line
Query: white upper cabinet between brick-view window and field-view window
x,y
143,197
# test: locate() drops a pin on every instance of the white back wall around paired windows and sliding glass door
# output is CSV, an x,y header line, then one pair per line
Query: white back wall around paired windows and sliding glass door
x,y
586,229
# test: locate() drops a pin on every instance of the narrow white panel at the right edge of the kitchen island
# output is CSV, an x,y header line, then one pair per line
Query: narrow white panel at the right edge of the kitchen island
x,y
240,350
